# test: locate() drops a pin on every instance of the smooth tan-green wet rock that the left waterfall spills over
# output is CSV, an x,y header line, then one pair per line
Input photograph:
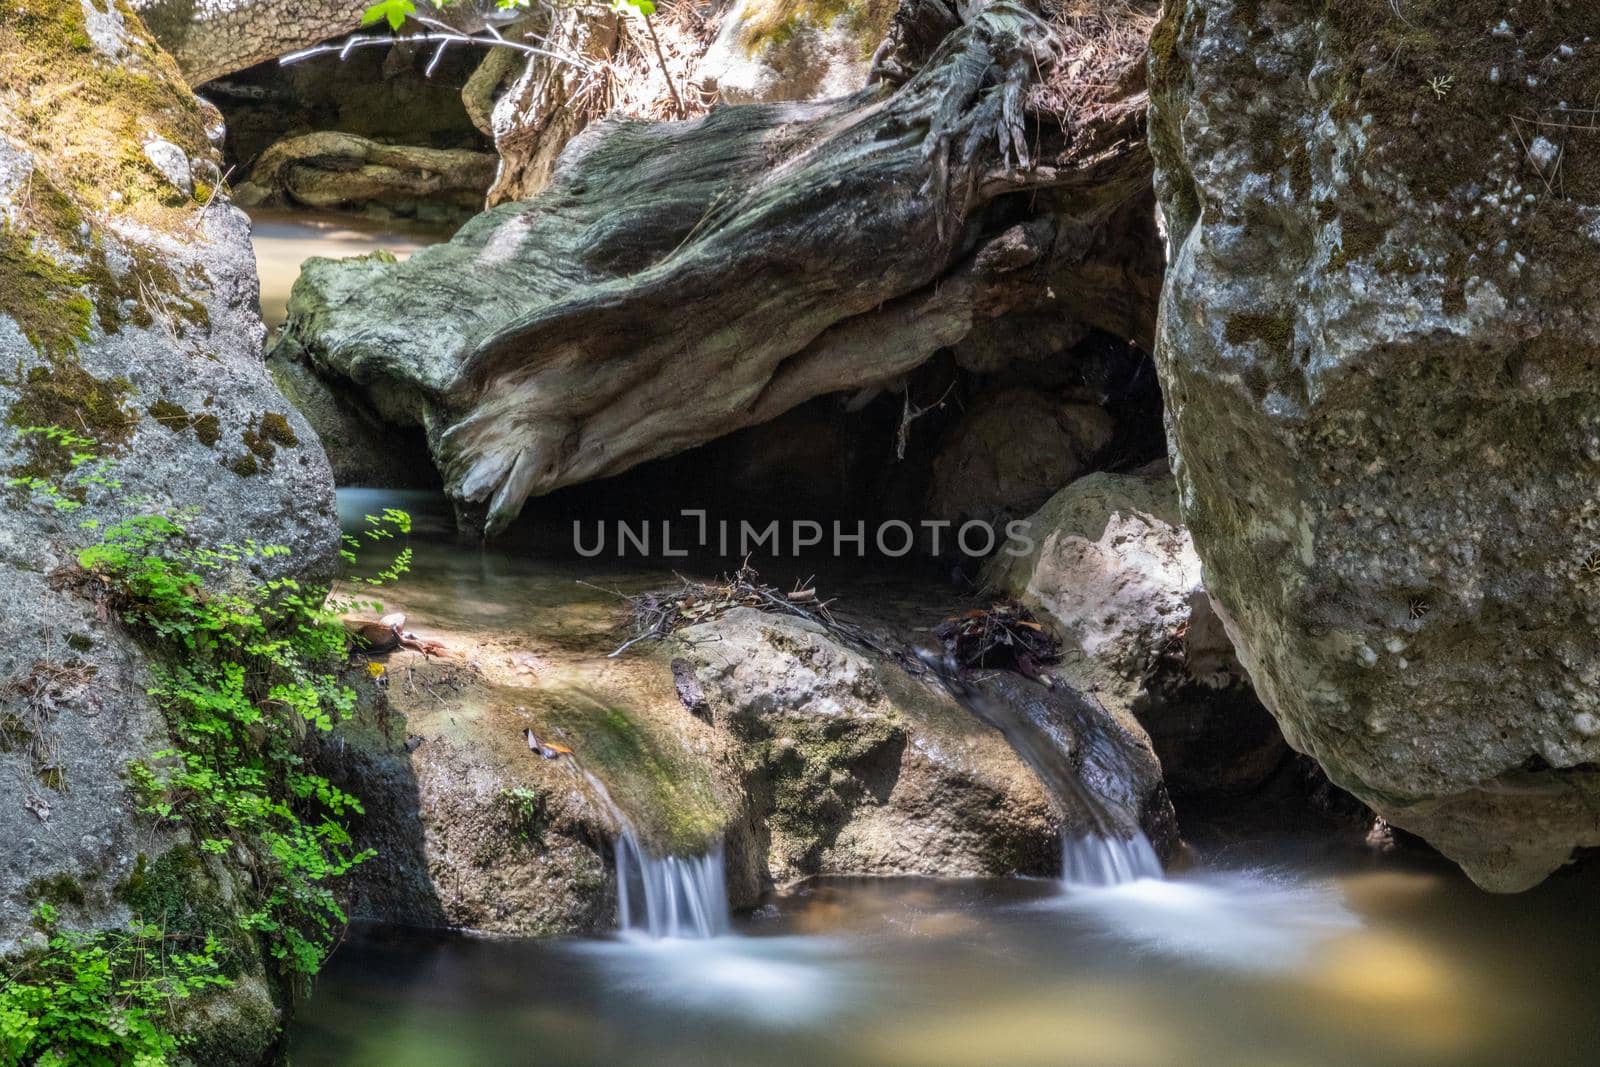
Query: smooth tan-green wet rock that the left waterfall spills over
x,y
474,831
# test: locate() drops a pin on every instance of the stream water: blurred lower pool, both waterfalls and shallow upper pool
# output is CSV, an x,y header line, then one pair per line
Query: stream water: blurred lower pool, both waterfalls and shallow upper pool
x,y
1281,954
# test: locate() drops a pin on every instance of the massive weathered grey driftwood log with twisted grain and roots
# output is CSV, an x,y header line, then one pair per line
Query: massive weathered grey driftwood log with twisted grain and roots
x,y
684,281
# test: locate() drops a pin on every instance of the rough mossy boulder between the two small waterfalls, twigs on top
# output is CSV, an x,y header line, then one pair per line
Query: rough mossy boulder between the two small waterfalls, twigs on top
x,y
858,767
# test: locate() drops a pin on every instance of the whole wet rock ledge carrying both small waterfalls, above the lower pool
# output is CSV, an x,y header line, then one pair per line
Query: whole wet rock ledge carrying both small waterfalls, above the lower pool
x,y
796,751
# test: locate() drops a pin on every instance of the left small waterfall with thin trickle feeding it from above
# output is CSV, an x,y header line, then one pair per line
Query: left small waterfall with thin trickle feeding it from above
x,y
665,897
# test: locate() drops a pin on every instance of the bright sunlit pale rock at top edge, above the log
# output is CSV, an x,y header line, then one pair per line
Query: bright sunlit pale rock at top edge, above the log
x,y
793,50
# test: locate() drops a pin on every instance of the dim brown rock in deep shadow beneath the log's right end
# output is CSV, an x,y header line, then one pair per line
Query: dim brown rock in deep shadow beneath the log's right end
x,y
1014,450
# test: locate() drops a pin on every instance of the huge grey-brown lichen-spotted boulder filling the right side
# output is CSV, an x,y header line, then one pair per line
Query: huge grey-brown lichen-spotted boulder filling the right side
x,y
1380,346
